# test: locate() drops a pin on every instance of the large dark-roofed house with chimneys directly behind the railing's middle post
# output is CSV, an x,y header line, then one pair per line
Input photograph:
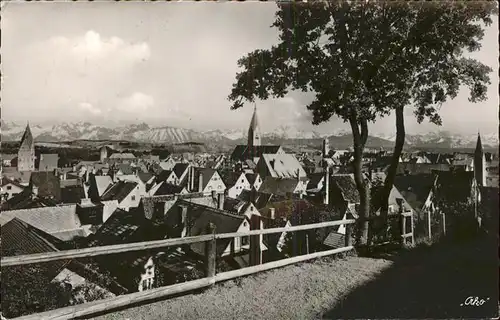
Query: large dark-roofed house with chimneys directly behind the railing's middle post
x,y
188,219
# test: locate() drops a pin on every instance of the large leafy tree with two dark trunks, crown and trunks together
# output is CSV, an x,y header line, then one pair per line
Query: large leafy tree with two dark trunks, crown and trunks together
x,y
365,60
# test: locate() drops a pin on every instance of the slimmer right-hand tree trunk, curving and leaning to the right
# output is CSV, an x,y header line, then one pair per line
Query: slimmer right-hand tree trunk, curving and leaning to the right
x,y
391,172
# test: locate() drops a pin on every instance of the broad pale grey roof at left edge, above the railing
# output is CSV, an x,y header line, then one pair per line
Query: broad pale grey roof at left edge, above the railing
x,y
61,222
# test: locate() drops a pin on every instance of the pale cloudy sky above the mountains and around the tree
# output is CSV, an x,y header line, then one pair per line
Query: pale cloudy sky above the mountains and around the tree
x,y
169,64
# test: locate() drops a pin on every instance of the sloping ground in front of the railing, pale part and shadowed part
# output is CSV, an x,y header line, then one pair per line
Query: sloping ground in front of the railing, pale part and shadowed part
x,y
424,283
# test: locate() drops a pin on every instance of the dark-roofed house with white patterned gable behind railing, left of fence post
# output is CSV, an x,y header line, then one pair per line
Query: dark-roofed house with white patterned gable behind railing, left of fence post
x,y
135,271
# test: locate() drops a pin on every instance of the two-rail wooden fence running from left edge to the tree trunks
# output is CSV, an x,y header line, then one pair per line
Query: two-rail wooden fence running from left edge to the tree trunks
x,y
110,304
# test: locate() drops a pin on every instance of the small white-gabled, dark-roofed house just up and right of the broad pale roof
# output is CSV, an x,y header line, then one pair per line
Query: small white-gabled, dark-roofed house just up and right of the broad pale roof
x,y
128,194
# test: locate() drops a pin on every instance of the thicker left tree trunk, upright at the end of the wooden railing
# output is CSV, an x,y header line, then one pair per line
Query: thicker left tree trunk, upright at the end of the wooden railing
x,y
359,141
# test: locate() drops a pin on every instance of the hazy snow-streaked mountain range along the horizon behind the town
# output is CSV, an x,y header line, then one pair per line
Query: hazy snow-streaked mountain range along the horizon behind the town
x,y
143,132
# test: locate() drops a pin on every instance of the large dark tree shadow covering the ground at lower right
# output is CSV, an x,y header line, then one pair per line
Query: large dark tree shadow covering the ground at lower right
x,y
431,282
